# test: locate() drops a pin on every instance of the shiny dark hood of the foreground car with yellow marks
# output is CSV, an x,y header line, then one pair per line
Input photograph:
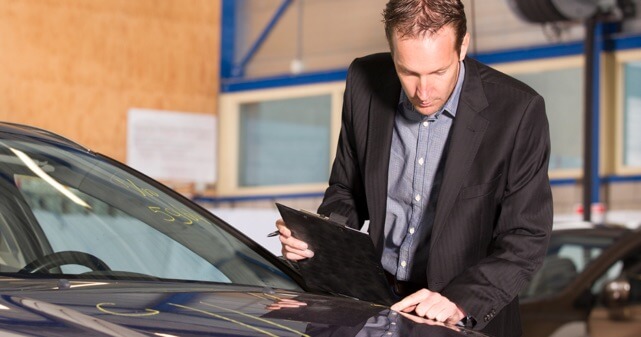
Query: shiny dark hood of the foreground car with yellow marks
x,y
132,309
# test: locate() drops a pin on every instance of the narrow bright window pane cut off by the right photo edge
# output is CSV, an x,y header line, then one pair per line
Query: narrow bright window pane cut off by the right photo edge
x,y
632,115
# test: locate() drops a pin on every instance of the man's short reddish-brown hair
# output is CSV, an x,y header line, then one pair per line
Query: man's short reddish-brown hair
x,y
413,18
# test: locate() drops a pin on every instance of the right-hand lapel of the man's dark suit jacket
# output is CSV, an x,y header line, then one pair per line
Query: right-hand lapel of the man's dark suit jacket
x,y
467,132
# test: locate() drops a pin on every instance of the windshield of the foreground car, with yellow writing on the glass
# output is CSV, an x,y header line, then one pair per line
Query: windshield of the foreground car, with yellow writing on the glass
x,y
69,212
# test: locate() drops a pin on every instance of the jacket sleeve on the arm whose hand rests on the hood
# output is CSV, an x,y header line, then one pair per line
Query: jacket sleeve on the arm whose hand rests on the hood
x,y
521,231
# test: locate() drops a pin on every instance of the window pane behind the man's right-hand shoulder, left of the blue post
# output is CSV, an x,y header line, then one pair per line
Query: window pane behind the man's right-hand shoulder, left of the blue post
x,y
562,91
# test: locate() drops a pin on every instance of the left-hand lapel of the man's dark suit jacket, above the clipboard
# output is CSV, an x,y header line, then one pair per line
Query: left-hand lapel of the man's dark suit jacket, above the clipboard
x,y
383,106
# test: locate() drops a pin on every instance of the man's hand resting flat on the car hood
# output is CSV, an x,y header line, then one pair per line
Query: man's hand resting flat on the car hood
x,y
431,305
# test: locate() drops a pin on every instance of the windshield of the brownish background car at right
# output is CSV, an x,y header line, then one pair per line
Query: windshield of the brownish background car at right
x,y
569,253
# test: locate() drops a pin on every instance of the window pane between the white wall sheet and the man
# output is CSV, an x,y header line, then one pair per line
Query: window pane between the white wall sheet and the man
x,y
285,142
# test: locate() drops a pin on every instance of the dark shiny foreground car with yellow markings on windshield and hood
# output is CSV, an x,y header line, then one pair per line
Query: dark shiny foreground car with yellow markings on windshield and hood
x,y
90,247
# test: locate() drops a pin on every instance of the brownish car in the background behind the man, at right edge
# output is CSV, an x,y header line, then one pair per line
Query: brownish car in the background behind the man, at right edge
x,y
589,285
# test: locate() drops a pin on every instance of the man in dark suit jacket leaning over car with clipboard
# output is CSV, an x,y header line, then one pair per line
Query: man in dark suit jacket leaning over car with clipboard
x,y
447,158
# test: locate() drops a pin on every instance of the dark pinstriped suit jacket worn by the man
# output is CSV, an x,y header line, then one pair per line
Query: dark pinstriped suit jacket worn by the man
x,y
494,211
